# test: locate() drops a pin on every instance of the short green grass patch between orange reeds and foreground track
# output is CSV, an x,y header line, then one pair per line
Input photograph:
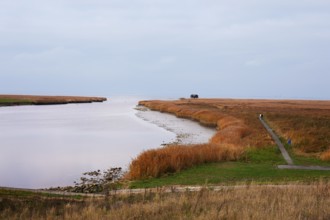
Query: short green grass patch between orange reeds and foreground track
x,y
258,166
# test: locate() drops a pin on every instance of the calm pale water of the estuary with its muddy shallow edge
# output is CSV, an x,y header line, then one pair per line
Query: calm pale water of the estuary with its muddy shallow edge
x,y
48,146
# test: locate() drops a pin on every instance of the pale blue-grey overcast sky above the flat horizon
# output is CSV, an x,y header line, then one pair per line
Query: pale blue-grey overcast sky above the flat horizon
x,y
166,48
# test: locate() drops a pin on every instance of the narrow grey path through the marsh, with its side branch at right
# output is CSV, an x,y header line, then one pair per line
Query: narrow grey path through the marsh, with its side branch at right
x,y
285,154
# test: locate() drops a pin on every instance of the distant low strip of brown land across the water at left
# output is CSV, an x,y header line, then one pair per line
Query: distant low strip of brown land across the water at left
x,y
13,100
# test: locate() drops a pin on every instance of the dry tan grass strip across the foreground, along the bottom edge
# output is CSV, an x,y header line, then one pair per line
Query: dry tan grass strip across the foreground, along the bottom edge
x,y
247,202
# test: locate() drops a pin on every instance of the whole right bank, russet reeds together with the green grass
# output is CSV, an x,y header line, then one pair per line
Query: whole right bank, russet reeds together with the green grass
x,y
240,138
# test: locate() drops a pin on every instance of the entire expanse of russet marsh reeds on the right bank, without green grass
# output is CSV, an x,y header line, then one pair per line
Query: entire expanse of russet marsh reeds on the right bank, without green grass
x,y
306,123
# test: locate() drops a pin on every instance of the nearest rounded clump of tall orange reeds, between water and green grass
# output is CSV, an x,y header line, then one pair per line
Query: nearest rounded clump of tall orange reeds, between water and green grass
x,y
156,162
